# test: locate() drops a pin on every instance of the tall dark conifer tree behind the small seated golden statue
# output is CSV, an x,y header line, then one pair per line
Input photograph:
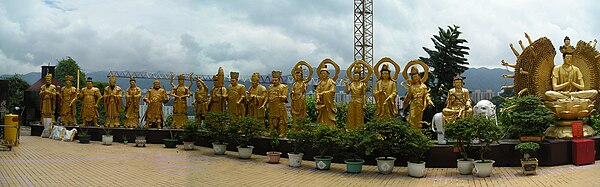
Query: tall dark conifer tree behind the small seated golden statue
x,y
446,61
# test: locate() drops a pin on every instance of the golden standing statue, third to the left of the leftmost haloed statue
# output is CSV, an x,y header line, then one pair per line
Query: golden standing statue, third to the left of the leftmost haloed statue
x,y
236,96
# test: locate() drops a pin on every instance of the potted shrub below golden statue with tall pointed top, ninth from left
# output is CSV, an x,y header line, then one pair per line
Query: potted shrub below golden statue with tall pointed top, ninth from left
x,y
218,129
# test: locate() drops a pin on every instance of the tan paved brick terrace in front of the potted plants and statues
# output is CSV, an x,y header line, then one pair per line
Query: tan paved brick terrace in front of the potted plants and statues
x,y
44,162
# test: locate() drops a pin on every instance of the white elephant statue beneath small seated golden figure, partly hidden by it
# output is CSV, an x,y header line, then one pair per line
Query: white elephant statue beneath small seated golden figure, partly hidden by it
x,y
484,107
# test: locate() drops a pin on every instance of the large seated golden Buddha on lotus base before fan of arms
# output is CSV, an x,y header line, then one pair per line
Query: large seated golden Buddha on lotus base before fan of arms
x,y
568,98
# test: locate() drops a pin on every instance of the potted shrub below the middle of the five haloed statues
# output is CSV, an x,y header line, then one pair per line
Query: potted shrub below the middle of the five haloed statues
x,y
352,145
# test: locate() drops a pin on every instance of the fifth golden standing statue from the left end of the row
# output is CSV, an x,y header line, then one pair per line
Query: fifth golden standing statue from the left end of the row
x,y
132,104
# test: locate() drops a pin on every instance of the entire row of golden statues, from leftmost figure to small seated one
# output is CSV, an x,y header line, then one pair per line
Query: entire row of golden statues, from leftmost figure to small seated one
x,y
254,101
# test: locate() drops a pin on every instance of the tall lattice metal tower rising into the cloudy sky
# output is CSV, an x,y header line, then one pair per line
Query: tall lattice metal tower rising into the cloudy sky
x,y
363,31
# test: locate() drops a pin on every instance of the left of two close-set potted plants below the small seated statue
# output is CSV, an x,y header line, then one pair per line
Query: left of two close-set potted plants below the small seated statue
x,y
463,132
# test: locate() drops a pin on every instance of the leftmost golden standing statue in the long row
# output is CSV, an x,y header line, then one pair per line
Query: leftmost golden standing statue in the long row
x,y
48,98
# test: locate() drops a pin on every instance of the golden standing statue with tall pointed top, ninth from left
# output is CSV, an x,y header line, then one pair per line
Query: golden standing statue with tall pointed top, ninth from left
x,y
218,94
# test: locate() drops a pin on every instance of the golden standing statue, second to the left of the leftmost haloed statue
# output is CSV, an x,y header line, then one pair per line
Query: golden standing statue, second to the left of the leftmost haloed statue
x,y
256,97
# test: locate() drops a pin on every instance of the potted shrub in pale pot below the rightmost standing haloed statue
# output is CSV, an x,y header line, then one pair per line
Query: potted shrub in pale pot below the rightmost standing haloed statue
x,y
416,145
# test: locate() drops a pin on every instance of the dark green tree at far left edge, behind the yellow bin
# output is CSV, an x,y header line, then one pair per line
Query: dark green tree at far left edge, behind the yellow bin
x,y
16,92
